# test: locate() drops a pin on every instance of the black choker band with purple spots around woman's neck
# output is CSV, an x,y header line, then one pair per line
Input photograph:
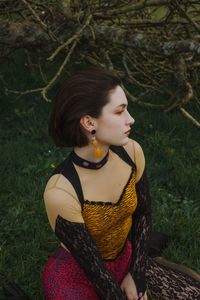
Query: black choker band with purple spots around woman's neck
x,y
88,164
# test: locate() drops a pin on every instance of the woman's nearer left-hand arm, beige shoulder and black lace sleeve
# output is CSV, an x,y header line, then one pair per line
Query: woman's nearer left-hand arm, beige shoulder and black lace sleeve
x,y
66,219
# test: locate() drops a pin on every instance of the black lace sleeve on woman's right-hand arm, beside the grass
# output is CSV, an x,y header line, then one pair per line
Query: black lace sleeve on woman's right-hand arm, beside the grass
x,y
140,232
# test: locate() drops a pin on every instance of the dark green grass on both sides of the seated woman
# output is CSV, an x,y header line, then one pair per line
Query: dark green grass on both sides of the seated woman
x,y
171,147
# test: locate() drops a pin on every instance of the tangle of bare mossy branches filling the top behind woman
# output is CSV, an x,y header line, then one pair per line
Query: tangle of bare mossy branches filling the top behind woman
x,y
153,45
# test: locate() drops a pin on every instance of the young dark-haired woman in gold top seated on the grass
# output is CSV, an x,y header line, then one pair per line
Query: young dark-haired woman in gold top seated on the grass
x,y
98,201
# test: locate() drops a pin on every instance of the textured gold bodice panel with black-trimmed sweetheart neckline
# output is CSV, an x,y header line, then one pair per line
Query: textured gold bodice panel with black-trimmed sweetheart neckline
x,y
110,223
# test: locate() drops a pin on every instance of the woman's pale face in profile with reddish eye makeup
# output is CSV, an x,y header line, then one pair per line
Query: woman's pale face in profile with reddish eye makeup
x,y
113,126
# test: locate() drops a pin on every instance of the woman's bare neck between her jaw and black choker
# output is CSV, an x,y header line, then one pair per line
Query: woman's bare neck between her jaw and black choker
x,y
87,152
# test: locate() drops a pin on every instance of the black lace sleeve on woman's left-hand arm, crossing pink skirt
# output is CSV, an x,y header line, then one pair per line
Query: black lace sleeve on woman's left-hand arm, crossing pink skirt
x,y
77,238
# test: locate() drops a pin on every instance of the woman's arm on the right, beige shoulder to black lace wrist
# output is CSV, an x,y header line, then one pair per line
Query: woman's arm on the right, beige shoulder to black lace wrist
x,y
141,226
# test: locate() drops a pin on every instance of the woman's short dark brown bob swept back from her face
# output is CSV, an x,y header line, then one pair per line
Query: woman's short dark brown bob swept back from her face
x,y
84,93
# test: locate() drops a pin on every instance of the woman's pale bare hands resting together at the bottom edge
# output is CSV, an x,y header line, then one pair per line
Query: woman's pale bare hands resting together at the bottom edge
x,y
129,288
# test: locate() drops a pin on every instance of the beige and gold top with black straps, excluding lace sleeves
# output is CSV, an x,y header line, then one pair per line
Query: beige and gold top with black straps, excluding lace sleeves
x,y
106,199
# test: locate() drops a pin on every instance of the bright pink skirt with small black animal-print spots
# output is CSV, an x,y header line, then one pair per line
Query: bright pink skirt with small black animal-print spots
x,y
64,279
